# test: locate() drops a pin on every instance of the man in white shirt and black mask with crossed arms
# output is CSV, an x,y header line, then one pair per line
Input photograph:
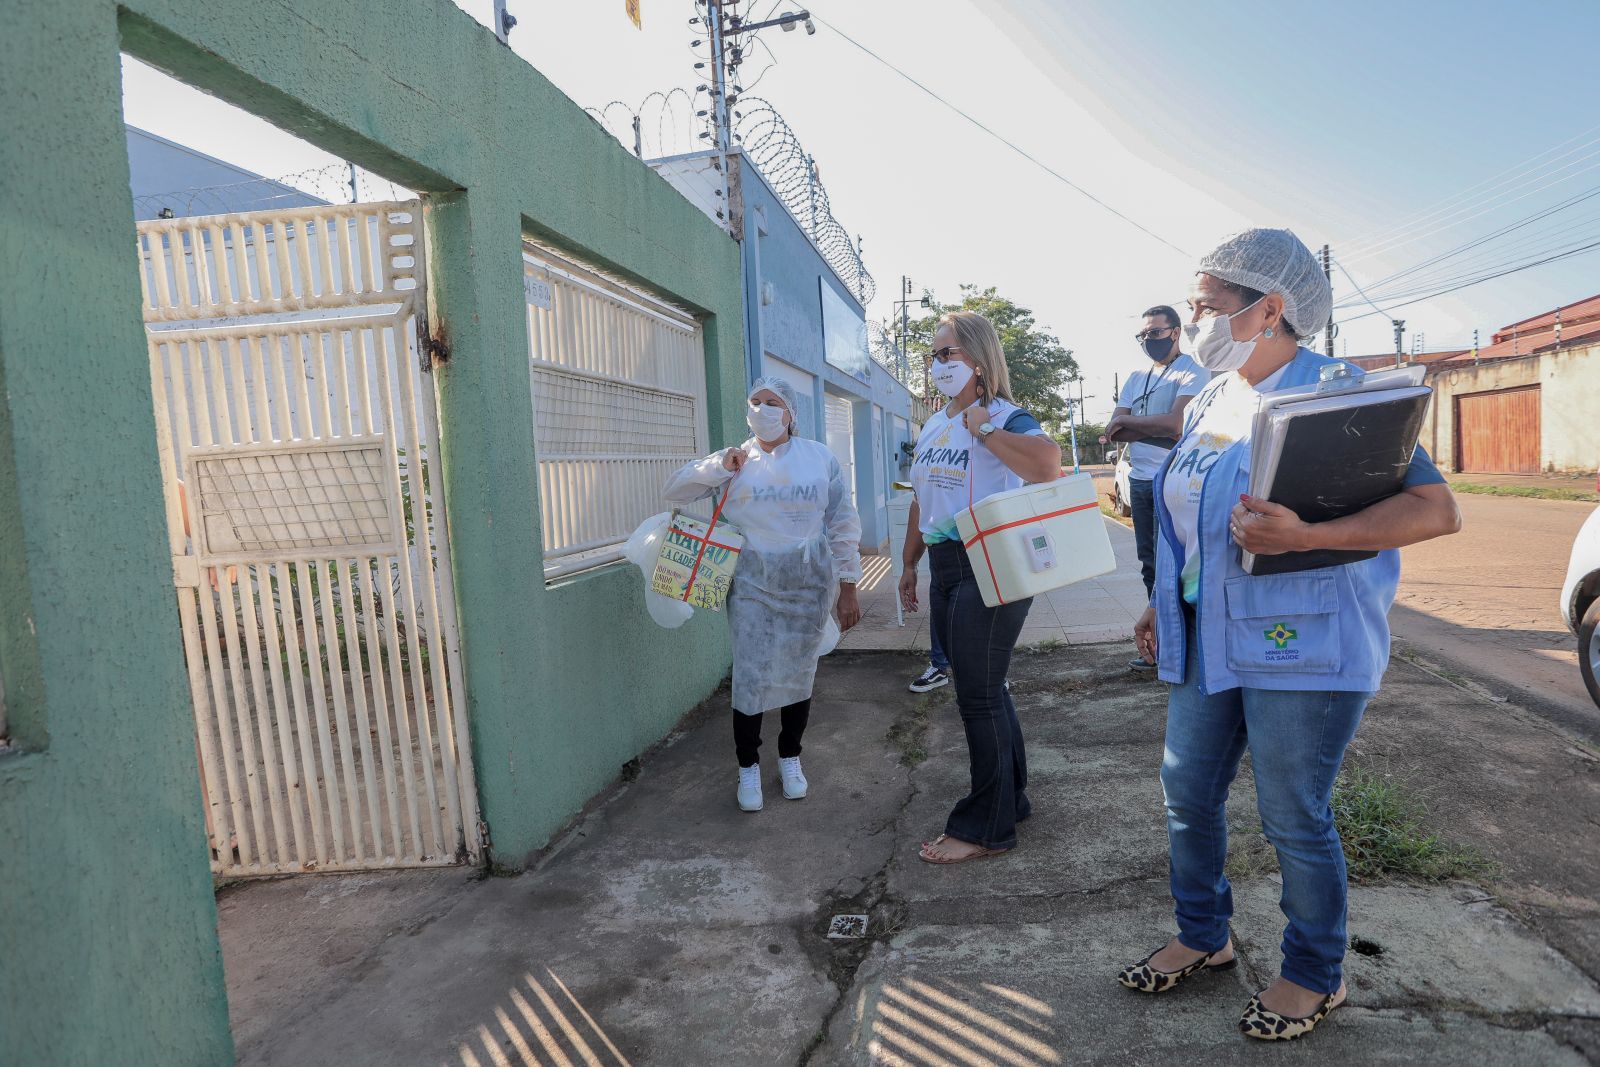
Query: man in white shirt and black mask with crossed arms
x,y
1150,422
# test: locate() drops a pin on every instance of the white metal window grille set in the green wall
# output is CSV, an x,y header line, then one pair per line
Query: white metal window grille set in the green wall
x,y
620,402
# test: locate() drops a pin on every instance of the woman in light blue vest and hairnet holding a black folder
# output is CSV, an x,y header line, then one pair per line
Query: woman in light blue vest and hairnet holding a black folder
x,y
1210,628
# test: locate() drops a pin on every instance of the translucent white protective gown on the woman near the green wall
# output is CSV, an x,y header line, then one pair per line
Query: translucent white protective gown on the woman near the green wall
x,y
802,537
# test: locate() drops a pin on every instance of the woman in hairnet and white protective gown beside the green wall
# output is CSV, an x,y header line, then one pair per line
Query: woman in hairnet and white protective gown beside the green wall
x,y
802,559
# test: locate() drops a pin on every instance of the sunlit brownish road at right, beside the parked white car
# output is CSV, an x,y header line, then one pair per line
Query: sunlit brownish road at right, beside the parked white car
x,y
1484,605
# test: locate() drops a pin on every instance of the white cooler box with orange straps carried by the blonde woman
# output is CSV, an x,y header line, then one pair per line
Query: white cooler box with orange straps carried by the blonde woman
x,y
1038,538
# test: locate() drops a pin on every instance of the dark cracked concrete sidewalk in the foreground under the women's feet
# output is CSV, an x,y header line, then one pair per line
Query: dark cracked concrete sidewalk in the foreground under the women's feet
x,y
671,929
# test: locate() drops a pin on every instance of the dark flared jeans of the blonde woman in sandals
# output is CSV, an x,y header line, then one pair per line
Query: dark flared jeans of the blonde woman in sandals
x,y
978,642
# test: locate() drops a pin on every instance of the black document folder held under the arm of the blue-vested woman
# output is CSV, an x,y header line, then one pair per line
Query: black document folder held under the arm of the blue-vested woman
x,y
1332,457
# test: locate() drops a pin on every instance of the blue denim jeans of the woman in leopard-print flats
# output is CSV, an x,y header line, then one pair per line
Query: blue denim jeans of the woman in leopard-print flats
x,y
1297,745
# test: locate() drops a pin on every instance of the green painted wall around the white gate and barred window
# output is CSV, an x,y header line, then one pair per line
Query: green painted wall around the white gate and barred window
x,y
108,948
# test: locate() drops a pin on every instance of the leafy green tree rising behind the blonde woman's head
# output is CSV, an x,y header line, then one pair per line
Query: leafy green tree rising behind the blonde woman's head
x,y
1039,366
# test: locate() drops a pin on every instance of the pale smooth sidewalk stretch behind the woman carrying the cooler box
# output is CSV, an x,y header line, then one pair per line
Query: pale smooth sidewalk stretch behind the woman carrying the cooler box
x,y
1089,613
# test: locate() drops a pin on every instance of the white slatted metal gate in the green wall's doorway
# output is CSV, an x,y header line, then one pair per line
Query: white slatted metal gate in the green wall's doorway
x,y
297,428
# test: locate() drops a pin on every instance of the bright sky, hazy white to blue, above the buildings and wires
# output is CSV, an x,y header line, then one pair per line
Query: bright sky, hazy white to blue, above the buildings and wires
x,y
1394,132
